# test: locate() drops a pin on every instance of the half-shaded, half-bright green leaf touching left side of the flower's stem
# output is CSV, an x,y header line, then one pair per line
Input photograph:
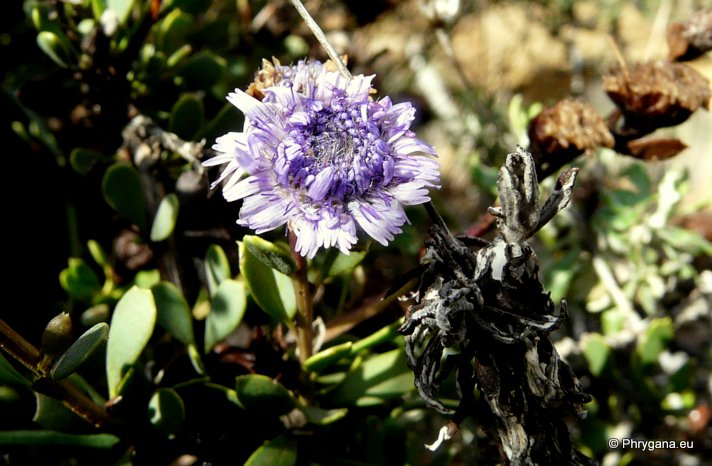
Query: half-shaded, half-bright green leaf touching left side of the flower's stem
x,y
271,290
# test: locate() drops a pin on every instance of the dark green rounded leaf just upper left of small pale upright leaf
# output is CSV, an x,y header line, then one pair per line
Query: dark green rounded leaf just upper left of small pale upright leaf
x,y
122,190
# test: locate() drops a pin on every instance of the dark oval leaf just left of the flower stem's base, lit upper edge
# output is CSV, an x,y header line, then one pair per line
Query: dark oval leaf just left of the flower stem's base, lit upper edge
x,y
263,395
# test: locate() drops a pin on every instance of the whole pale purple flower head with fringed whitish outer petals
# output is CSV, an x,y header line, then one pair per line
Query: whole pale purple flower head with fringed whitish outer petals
x,y
319,154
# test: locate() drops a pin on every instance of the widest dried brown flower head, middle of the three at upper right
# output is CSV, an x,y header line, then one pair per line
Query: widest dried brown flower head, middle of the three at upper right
x,y
657,94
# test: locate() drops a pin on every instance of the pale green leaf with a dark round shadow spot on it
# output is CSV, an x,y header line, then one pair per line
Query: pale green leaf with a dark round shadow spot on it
x,y
228,307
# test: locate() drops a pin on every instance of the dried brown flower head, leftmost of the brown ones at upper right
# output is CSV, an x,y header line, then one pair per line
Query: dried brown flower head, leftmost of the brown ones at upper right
x,y
563,132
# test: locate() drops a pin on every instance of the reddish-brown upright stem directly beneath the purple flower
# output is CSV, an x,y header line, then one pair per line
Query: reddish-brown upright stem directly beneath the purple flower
x,y
305,305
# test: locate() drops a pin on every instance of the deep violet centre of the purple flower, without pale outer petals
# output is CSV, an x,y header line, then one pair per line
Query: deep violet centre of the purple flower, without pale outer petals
x,y
335,152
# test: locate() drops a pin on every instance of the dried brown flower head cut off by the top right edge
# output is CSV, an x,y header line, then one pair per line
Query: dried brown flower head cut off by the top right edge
x,y
690,38
